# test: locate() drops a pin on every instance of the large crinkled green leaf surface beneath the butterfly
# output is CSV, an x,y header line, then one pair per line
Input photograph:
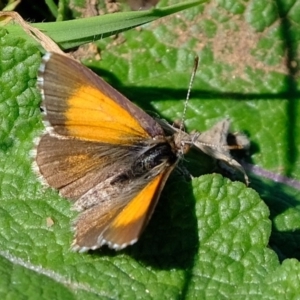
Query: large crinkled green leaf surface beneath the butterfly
x,y
208,239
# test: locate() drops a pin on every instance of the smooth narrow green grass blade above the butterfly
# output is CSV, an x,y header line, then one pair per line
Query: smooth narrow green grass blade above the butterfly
x,y
73,33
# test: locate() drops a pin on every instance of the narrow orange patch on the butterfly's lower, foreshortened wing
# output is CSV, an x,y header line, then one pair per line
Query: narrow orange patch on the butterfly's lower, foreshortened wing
x,y
138,207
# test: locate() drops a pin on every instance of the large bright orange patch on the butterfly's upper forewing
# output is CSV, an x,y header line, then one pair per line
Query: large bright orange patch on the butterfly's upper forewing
x,y
92,115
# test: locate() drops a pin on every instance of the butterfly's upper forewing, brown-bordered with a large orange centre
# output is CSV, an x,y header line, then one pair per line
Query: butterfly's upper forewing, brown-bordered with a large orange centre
x,y
79,104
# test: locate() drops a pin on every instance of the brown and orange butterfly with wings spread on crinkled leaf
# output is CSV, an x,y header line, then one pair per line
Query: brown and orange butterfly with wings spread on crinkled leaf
x,y
106,155
